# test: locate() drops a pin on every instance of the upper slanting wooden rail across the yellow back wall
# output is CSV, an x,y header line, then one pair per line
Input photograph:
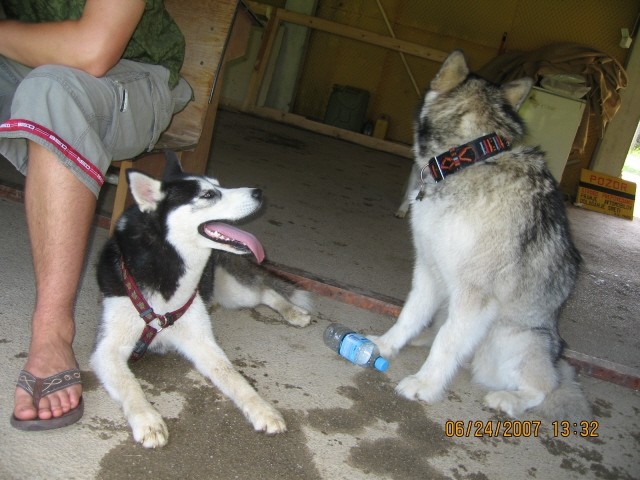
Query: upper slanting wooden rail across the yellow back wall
x,y
362,35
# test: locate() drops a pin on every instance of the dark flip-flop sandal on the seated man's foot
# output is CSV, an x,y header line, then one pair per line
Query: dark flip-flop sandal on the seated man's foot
x,y
41,387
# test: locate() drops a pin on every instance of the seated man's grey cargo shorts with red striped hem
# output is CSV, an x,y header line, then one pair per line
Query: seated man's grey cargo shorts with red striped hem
x,y
87,122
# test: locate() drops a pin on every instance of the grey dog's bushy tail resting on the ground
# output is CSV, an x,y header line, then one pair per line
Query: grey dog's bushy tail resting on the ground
x,y
567,401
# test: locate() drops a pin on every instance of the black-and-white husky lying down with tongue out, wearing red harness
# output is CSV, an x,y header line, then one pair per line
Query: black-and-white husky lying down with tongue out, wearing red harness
x,y
172,253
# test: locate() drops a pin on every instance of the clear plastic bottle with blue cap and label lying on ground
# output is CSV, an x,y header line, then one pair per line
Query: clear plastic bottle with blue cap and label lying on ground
x,y
354,347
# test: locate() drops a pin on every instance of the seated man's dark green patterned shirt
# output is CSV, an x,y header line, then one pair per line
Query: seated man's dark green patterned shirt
x,y
156,40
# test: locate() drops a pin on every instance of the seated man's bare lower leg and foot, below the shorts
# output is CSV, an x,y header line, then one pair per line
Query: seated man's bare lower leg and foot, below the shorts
x,y
59,212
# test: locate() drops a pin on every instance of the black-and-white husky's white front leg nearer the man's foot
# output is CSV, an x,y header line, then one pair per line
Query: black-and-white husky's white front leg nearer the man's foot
x,y
109,362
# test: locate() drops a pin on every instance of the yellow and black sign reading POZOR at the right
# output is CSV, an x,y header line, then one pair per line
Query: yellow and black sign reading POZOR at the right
x,y
605,194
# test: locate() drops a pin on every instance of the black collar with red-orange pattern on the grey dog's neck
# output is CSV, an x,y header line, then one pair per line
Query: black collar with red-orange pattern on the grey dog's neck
x,y
461,156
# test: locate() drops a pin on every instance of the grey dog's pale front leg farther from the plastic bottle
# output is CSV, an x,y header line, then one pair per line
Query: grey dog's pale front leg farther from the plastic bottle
x,y
467,324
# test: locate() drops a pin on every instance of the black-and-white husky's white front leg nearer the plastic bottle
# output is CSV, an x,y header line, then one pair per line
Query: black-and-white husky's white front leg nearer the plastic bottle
x,y
194,339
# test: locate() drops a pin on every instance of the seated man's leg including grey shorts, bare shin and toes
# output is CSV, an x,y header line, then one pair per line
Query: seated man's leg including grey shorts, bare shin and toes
x,y
89,117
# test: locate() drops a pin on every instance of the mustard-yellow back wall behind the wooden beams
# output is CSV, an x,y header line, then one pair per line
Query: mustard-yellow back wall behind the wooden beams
x,y
477,27
